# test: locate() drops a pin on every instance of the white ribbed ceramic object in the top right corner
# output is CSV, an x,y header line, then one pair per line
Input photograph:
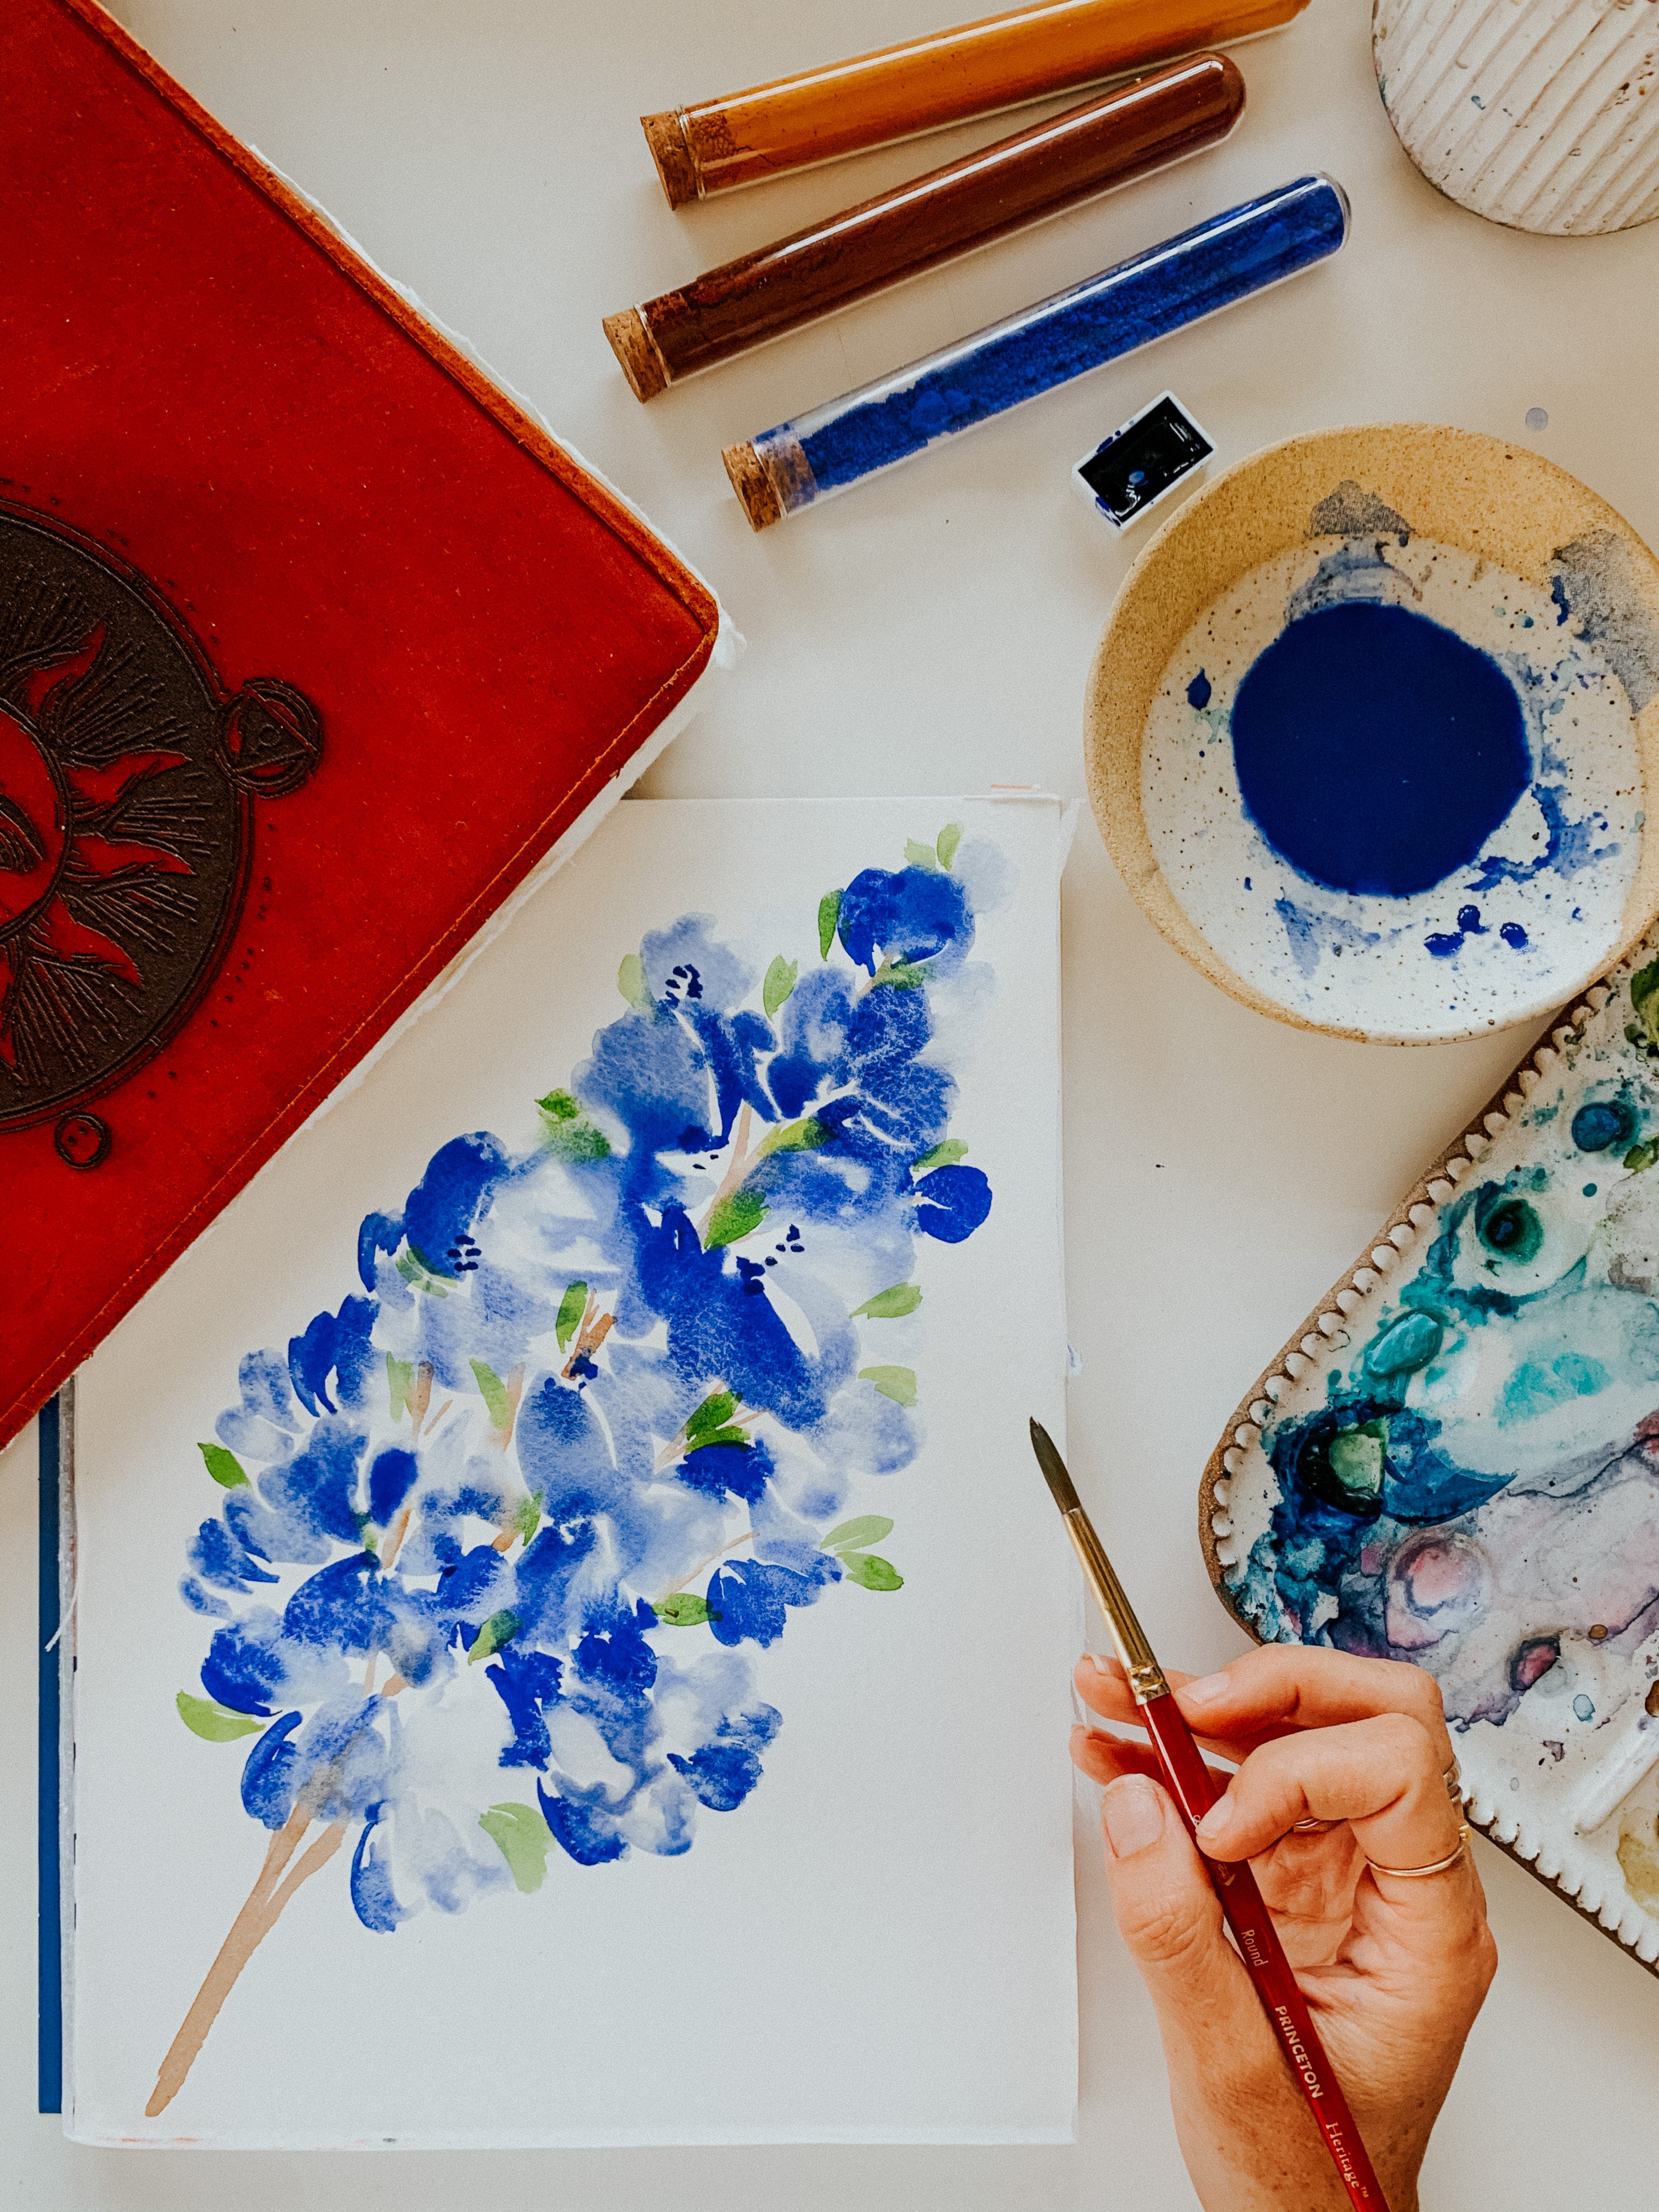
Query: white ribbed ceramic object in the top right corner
x,y
1538,114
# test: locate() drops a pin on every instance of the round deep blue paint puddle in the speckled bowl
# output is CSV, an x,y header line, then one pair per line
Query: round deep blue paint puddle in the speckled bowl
x,y
1377,751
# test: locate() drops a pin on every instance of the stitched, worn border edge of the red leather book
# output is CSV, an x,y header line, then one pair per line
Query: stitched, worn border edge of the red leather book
x,y
441,968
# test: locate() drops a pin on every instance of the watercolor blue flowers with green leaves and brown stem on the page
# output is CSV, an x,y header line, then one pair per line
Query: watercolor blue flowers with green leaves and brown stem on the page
x,y
594,1426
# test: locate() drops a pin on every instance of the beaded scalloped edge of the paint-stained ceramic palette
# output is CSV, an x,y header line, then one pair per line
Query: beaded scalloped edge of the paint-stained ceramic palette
x,y
1350,1300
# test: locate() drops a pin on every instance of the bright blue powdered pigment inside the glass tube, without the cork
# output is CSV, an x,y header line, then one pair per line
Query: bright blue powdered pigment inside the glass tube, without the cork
x,y
1142,300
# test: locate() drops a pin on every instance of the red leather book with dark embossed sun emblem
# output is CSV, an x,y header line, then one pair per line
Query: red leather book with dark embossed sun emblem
x,y
313,647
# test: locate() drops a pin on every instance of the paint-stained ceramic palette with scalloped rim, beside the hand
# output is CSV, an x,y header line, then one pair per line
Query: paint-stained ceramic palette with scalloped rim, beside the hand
x,y
1459,1459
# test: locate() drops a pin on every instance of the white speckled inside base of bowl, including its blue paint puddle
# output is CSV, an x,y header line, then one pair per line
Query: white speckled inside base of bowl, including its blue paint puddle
x,y
1392,791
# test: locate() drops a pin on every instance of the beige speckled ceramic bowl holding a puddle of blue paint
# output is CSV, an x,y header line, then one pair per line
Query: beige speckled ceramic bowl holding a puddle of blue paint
x,y
1375,727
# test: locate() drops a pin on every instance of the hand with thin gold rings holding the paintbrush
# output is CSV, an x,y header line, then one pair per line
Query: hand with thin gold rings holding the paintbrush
x,y
1392,1970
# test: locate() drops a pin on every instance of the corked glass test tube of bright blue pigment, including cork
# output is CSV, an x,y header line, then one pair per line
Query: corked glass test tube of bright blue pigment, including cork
x,y
1180,282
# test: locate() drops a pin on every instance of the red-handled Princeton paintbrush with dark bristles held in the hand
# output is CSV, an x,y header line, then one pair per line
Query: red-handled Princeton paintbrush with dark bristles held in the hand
x,y
1196,1793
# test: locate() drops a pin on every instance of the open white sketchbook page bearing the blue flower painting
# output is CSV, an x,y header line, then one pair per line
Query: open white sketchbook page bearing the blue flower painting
x,y
567,1642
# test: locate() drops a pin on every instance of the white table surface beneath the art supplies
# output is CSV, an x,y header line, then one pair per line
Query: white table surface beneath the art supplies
x,y
932,632
